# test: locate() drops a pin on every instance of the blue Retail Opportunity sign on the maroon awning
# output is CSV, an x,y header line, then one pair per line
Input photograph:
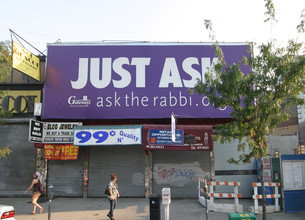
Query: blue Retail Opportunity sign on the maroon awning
x,y
164,137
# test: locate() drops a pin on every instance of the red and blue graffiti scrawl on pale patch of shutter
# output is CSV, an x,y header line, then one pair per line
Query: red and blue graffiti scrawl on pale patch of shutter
x,y
176,174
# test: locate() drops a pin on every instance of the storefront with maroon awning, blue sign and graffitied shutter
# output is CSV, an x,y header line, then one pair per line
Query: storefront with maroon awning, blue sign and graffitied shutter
x,y
177,164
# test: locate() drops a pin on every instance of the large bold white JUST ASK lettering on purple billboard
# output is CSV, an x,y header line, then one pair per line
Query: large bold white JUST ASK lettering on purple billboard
x,y
101,78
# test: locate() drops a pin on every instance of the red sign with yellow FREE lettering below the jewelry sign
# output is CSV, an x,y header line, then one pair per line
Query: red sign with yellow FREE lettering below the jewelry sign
x,y
60,152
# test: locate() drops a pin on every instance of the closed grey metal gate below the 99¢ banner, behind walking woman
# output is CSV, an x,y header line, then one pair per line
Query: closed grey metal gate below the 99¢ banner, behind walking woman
x,y
127,162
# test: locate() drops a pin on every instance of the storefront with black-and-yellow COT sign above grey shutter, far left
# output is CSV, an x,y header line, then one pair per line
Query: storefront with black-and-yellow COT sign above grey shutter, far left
x,y
18,167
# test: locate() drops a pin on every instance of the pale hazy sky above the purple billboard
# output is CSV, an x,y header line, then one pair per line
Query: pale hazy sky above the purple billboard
x,y
41,22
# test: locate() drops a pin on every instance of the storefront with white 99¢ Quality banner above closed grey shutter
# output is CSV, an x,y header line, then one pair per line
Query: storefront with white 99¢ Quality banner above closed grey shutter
x,y
113,149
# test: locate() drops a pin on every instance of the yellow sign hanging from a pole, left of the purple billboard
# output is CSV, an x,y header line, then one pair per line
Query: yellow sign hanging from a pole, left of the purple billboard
x,y
25,61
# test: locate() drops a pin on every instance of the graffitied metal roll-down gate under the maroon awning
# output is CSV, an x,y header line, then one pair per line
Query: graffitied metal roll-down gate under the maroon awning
x,y
179,171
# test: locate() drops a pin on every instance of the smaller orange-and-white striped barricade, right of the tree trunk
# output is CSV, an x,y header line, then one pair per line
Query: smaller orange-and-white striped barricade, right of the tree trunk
x,y
256,197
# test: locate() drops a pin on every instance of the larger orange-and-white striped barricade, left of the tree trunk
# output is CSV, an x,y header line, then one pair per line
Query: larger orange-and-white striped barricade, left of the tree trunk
x,y
209,193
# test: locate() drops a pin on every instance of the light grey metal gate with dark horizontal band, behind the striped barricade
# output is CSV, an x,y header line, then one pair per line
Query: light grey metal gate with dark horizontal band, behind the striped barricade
x,y
225,171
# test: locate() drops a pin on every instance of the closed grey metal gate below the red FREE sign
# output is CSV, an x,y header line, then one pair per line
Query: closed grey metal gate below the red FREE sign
x,y
66,177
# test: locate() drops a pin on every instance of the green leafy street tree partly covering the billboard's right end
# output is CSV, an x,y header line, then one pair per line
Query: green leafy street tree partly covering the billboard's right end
x,y
260,99
